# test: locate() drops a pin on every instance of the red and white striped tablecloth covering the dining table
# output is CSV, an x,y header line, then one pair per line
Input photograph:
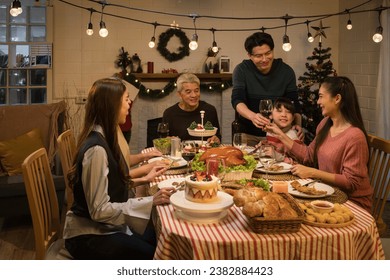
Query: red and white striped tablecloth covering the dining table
x,y
233,238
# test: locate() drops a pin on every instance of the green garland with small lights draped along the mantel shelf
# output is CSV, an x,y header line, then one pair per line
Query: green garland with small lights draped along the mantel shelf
x,y
169,87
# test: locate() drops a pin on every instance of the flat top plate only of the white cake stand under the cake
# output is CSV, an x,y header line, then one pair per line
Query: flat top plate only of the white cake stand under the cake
x,y
178,200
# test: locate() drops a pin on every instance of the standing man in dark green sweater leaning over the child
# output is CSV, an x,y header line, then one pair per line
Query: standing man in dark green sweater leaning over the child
x,y
261,77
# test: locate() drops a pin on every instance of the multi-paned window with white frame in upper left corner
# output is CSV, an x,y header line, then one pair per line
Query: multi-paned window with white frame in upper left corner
x,y
25,54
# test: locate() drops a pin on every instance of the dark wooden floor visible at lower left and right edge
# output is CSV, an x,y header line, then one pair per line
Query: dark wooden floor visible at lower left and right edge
x,y
17,237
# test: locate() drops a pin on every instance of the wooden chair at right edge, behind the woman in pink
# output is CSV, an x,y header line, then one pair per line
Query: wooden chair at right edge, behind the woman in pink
x,y
378,170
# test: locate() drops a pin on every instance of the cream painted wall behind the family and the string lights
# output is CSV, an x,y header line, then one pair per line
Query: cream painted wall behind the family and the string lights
x,y
80,59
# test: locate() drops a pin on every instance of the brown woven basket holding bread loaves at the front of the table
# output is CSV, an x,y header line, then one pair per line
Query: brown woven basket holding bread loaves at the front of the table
x,y
279,225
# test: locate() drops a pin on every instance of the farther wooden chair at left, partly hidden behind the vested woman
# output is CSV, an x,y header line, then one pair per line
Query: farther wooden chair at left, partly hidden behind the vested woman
x,y
67,148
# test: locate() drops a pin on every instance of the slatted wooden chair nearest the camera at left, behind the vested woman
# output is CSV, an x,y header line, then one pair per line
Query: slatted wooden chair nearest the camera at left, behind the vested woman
x,y
43,203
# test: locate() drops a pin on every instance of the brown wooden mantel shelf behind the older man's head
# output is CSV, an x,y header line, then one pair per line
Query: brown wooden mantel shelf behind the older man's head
x,y
165,77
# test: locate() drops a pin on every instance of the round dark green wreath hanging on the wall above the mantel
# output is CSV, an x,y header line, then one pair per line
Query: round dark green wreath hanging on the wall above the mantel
x,y
164,38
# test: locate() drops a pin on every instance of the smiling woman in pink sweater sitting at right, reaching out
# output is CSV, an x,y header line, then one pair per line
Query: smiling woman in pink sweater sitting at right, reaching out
x,y
339,153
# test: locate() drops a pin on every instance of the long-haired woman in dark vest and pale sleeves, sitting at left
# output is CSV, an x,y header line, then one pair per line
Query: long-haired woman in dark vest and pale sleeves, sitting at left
x,y
104,223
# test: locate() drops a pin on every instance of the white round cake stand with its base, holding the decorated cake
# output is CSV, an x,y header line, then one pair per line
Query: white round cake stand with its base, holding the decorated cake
x,y
202,213
